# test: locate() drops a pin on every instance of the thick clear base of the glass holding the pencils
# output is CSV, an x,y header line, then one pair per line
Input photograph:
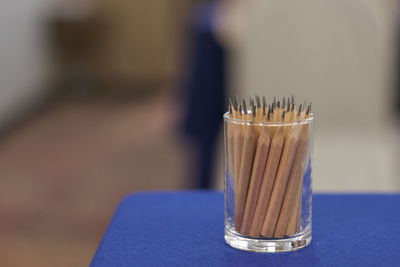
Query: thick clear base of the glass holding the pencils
x,y
297,242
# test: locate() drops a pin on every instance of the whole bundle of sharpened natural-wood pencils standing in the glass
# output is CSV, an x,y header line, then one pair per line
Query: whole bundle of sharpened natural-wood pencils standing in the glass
x,y
267,152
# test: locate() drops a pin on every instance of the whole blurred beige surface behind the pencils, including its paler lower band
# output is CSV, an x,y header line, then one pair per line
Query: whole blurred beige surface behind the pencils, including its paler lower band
x,y
338,54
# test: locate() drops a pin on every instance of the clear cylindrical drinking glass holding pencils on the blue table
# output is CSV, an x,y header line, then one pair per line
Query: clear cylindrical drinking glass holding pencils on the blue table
x,y
268,188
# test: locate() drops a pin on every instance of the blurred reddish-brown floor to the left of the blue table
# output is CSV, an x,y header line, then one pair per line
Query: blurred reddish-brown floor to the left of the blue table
x,y
64,171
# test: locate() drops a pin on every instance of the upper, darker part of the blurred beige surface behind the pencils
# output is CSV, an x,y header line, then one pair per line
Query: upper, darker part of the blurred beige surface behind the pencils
x,y
335,53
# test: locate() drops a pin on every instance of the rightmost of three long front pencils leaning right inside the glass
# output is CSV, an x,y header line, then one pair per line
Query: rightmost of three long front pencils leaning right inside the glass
x,y
280,183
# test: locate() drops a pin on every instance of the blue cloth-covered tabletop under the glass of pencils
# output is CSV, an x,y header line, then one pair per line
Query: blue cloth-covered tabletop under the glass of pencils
x,y
187,229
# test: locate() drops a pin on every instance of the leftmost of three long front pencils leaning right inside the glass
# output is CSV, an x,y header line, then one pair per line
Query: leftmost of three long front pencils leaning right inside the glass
x,y
257,175
